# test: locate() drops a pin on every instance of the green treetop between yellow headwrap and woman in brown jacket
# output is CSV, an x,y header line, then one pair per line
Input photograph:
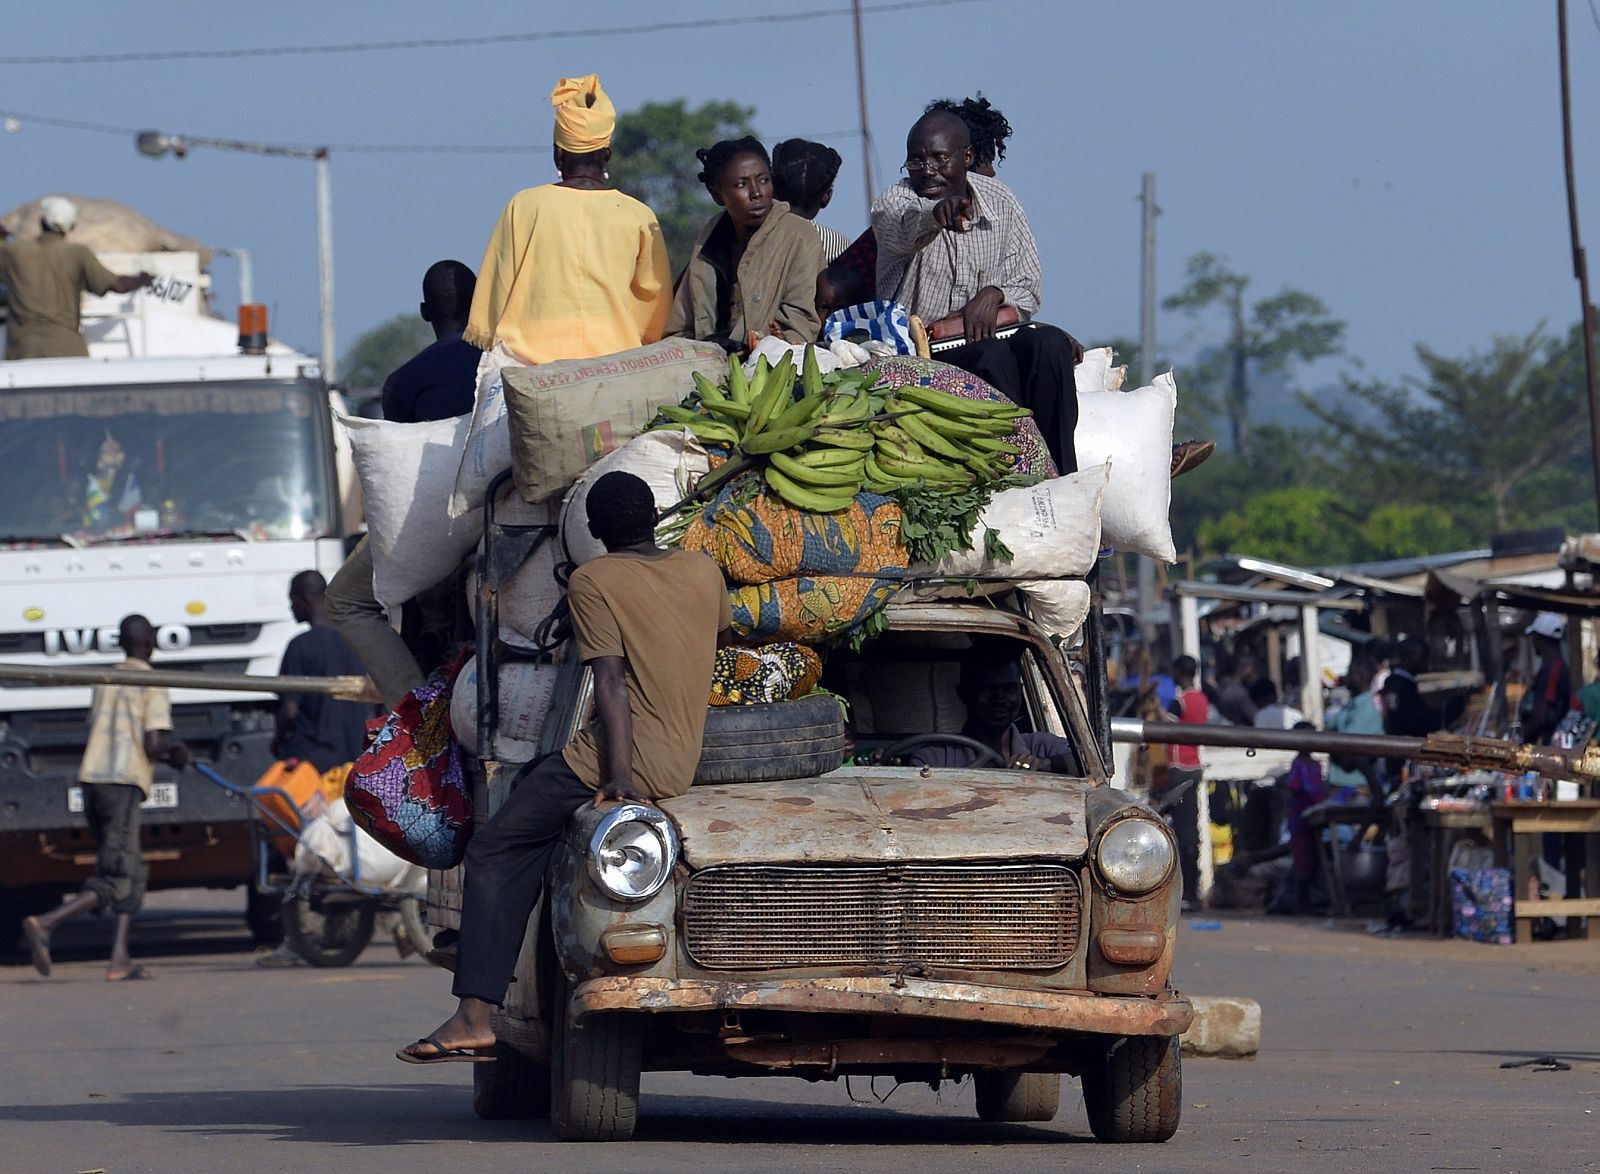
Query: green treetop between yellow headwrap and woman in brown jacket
x,y
654,161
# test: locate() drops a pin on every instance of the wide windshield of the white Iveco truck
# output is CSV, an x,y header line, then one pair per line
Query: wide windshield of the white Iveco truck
x,y
111,465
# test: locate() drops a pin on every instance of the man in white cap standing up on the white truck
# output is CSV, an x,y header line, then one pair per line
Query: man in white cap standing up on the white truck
x,y
46,281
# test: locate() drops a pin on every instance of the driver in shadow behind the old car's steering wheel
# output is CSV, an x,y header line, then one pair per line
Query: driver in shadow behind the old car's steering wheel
x,y
991,687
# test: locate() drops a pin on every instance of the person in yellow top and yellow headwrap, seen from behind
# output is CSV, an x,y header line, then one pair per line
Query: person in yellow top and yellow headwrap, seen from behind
x,y
575,270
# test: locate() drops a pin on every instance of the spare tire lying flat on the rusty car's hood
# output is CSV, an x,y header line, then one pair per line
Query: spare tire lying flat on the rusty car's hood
x,y
782,740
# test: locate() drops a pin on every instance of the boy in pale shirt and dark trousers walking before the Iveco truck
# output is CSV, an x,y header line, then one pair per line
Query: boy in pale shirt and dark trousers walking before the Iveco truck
x,y
130,730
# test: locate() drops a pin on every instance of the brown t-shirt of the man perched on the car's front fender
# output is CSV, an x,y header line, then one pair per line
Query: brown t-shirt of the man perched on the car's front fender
x,y
662,615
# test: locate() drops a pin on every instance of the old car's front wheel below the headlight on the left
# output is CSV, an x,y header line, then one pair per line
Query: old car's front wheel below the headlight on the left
x,y
594,1072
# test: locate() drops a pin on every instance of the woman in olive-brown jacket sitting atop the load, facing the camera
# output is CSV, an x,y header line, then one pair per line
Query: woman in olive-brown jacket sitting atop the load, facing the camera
x,y
754,266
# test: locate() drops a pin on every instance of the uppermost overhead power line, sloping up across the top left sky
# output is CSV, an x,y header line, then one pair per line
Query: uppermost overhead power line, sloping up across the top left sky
x,y
466,42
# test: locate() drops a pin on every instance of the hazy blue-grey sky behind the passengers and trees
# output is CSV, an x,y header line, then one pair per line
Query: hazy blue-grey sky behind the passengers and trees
x,y
1402,161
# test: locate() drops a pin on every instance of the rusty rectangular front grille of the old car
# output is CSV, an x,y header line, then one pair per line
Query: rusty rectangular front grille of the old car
x,y
983,917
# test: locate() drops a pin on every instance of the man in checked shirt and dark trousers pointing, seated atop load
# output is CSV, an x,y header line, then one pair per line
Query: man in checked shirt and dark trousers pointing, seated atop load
x,y
954,242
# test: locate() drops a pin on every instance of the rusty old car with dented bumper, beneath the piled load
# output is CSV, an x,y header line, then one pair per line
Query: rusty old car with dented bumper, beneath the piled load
x,y
810,909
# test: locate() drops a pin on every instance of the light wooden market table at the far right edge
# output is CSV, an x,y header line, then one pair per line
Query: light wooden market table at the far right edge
x,y
1518,839
